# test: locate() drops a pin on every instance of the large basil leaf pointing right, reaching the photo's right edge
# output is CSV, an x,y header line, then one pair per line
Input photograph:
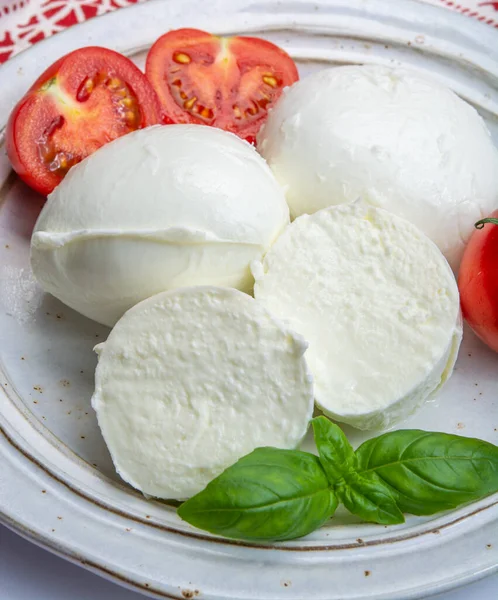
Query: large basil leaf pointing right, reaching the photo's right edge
x,y
428,472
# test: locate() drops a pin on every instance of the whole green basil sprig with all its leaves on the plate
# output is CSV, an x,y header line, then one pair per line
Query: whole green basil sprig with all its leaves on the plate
x,y
276,495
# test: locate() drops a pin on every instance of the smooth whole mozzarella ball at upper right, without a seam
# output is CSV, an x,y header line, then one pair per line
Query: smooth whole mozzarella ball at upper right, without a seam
x,y
392,137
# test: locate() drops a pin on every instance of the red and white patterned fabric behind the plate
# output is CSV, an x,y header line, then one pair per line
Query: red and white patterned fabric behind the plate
x,y
25,22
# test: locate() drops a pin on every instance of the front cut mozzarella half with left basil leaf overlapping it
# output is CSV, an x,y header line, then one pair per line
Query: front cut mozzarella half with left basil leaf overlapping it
x,y
191,380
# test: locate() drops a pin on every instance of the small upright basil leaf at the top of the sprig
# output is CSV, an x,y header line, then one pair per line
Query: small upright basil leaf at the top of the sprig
x,y
336,453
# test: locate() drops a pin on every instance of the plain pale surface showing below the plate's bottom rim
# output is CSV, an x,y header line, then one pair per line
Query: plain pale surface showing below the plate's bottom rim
x,y
30,573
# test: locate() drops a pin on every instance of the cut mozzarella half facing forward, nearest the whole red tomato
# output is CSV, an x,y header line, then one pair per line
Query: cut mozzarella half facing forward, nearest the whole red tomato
x,y
378,304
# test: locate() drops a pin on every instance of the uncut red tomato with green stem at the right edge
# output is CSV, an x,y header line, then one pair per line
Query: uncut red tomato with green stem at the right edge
x,y
478,283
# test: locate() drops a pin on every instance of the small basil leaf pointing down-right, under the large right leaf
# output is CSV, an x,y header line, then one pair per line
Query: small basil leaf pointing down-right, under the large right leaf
x,y
367,497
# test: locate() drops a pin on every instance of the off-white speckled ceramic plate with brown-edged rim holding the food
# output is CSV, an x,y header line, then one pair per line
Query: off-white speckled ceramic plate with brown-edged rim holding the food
x,y
58,486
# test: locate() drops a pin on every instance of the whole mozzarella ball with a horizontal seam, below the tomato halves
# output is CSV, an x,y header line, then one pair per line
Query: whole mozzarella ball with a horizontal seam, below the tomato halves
x,y
157,209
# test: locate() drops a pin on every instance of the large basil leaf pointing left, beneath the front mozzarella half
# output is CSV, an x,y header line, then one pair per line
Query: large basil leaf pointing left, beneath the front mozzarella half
x,y
270,494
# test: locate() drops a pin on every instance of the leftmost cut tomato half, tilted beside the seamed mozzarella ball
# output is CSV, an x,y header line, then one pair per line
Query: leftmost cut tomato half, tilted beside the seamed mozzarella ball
x,y
84,100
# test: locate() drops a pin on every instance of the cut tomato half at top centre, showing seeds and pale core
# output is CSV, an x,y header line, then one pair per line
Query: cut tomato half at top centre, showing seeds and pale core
x,y
226,82
